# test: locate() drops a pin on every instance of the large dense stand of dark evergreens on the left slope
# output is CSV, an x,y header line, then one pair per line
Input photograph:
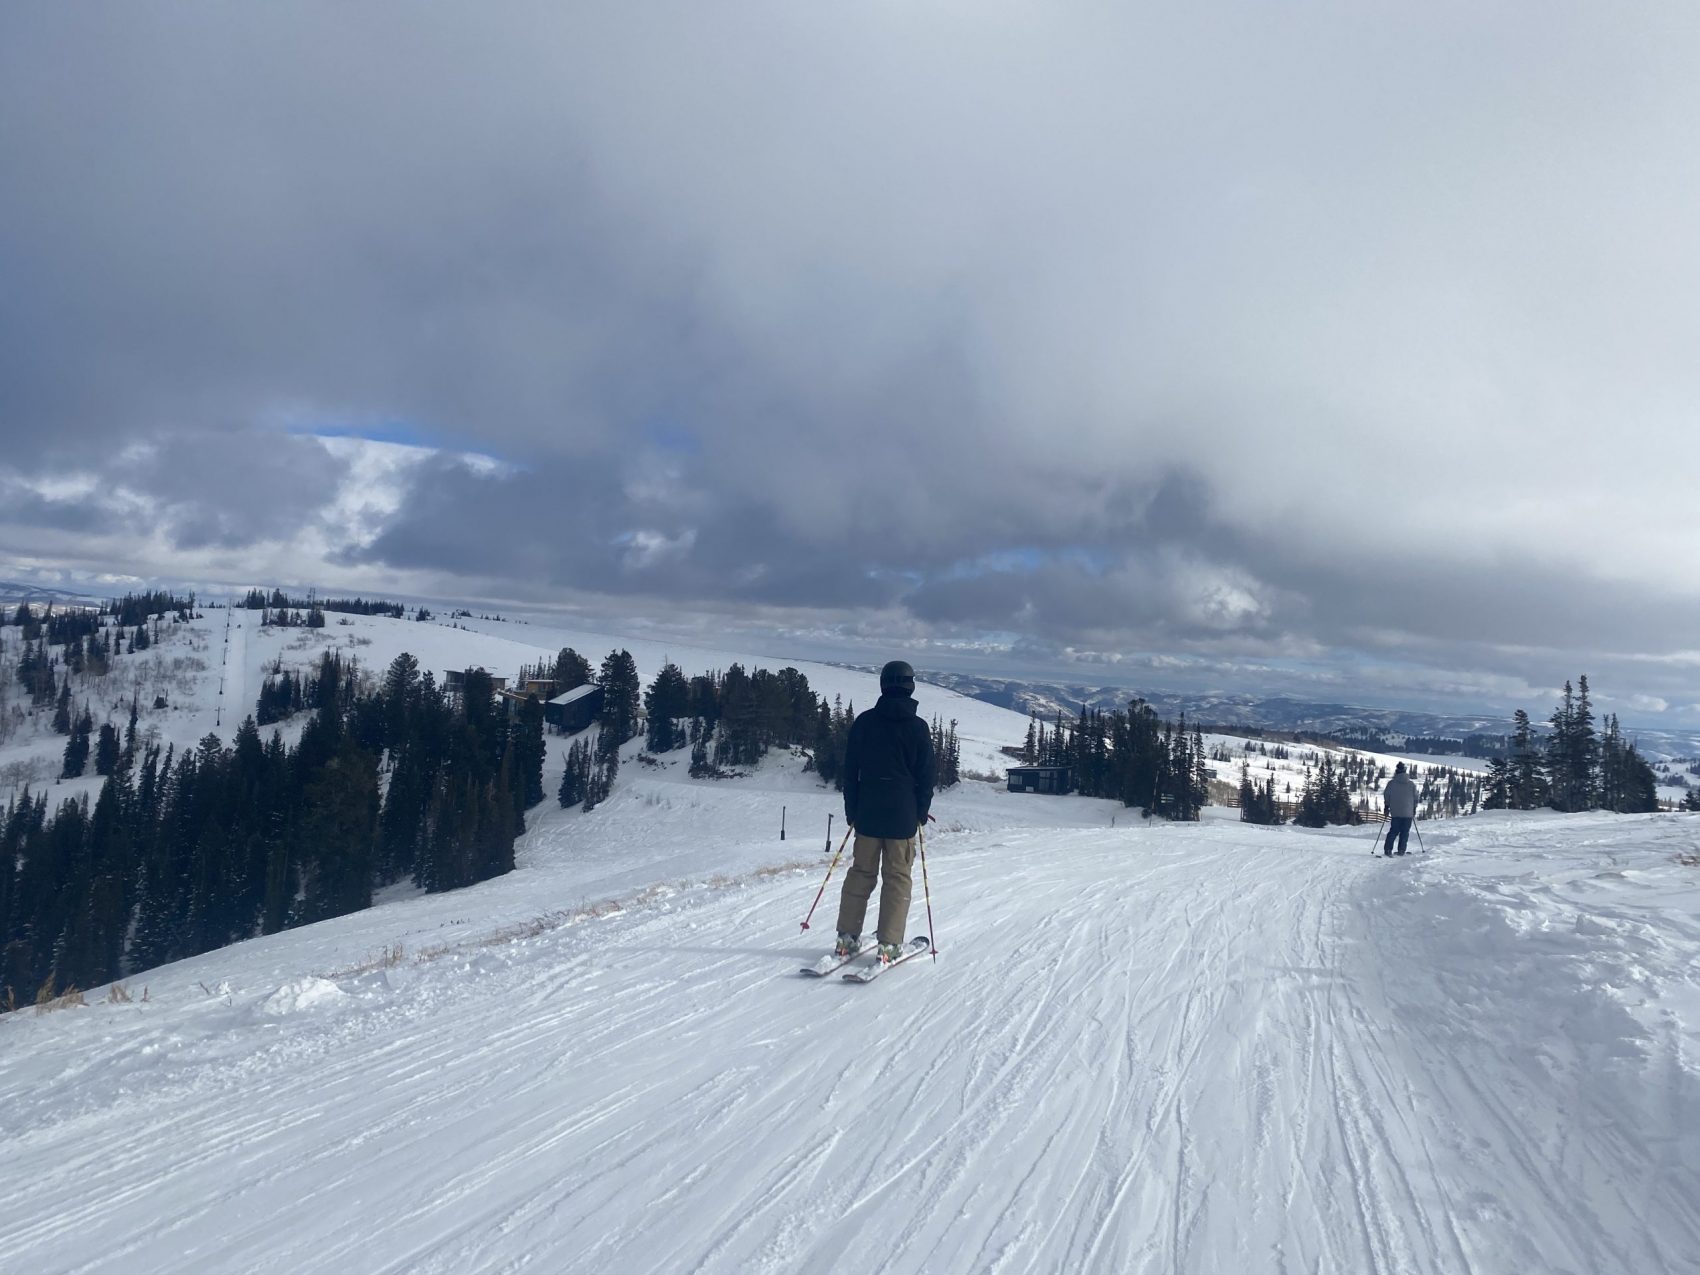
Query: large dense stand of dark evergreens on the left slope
x,y
186,853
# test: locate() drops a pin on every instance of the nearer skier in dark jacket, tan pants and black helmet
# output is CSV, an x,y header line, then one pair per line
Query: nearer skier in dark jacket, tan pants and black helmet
x,y
888,791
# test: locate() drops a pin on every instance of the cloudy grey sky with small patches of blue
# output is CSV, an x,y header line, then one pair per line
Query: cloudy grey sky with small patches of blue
x,y
1329,348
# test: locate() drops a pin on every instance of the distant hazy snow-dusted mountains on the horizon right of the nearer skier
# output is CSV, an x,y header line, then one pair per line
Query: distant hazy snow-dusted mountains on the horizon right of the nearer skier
x,y
1278,713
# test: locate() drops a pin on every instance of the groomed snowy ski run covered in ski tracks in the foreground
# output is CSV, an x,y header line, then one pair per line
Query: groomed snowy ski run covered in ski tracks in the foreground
x,y
1143,1048
